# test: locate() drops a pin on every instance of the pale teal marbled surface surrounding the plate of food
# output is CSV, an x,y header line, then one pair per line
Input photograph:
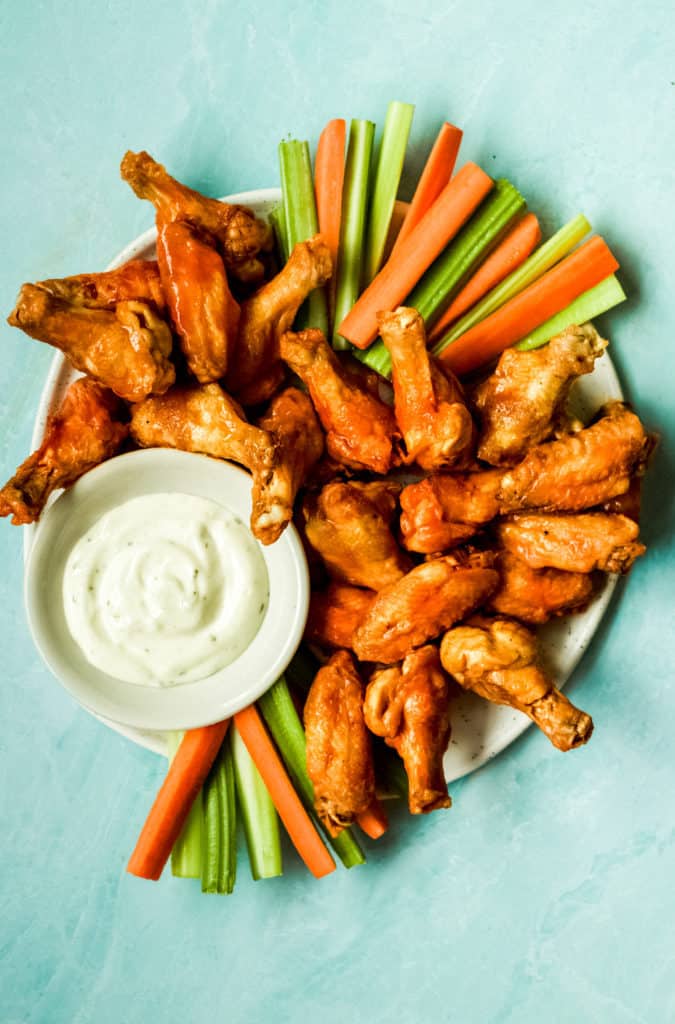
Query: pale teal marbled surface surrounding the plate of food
x,y
546,893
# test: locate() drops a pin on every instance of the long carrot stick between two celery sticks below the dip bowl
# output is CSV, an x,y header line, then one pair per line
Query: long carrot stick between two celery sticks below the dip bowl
x,y
297,821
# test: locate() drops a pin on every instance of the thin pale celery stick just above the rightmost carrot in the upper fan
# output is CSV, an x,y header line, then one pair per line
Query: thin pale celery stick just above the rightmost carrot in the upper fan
x,y
541,261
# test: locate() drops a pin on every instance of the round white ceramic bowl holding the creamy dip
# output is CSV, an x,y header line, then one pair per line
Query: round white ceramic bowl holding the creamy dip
x,y
182,706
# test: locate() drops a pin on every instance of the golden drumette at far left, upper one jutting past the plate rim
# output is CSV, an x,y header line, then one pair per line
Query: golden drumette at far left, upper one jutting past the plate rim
x,y
128,351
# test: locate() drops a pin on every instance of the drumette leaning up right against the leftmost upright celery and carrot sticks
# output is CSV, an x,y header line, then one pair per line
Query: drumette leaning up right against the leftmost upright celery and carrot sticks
x,y
258,370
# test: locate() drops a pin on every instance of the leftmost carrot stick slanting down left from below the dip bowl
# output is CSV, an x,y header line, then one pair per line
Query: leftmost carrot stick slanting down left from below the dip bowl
x,y
178,793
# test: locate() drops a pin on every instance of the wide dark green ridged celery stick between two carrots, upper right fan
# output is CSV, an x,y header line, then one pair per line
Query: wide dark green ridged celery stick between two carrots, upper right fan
x,y
457,264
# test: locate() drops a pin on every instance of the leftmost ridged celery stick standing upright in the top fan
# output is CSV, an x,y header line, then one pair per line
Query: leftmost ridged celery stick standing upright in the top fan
x,y
301,217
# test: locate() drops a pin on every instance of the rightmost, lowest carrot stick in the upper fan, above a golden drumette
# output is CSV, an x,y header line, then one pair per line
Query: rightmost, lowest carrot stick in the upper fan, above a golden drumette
x,y
584,269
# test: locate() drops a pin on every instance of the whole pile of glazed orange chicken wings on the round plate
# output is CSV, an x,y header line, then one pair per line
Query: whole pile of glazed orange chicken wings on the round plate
x,y
441,524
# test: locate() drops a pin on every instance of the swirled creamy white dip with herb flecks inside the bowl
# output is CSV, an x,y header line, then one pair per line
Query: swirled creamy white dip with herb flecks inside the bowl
x,y
165,589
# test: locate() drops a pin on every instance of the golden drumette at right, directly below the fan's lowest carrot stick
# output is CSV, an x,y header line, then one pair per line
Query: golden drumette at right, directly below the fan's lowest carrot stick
x,y
523,402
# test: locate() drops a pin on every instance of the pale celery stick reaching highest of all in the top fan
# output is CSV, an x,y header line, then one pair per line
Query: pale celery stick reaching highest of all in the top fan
x,y
386,187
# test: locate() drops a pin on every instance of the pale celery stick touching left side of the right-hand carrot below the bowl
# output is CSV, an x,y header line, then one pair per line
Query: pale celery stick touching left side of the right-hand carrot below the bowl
x,y
259,814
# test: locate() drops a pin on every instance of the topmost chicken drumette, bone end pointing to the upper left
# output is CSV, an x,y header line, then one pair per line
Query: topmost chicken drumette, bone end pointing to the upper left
x,y
240,234
